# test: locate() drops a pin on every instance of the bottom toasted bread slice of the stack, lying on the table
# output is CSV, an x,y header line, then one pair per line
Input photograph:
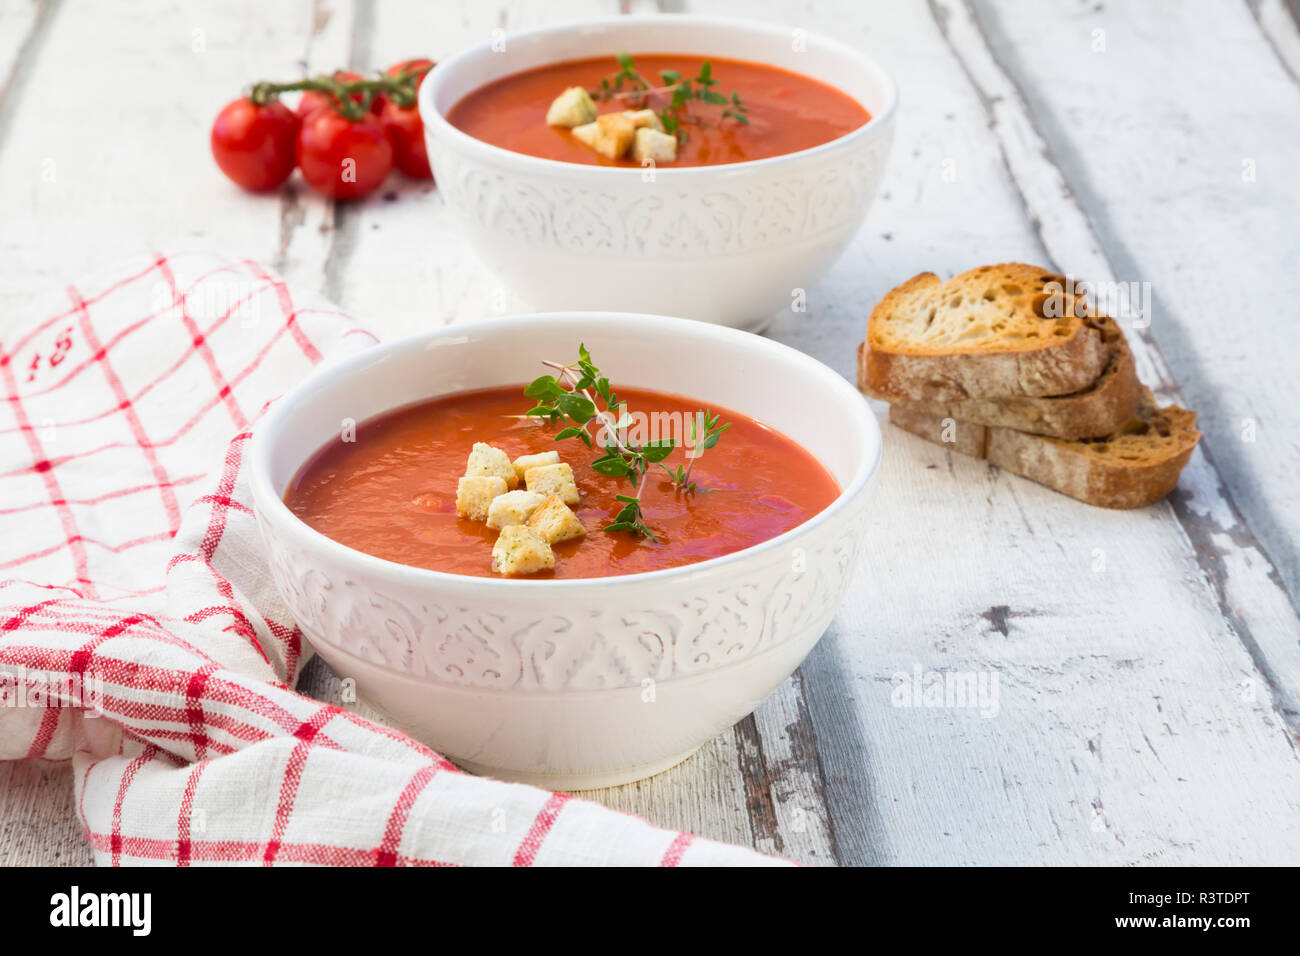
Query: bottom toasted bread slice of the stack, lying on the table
x,y
1136,466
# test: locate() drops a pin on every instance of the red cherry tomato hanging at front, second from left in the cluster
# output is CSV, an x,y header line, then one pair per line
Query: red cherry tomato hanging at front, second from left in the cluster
x,y
344,159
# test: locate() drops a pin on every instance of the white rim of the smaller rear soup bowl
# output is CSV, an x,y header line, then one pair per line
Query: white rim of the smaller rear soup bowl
x,y
434,119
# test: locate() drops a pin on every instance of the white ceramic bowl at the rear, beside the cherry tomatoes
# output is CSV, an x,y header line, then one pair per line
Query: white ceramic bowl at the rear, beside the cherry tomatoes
x,y
727,244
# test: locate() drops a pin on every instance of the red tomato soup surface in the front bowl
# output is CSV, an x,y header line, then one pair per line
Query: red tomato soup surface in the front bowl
x,y
393,491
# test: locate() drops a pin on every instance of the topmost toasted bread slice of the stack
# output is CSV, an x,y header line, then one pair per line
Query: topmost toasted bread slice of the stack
x,y
994,332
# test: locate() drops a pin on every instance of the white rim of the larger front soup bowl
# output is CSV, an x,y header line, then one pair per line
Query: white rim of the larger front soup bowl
x,y
332,373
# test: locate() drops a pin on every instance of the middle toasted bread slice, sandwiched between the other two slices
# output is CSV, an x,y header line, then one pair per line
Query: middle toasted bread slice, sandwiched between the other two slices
x,y
1095,412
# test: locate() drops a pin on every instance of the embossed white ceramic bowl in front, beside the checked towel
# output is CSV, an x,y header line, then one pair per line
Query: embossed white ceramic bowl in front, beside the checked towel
x,y
571,684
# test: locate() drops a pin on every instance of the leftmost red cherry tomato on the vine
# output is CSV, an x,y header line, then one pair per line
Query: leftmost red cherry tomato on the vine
x,y
255,146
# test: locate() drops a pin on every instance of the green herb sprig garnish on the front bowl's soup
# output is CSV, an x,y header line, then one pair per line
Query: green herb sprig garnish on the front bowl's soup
x,y
577,397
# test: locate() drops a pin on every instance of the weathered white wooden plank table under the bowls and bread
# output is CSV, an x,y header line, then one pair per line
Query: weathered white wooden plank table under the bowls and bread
x,y
1147,664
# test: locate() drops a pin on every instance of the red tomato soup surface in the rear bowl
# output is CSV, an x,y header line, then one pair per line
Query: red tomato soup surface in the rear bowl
x,y
787,111
